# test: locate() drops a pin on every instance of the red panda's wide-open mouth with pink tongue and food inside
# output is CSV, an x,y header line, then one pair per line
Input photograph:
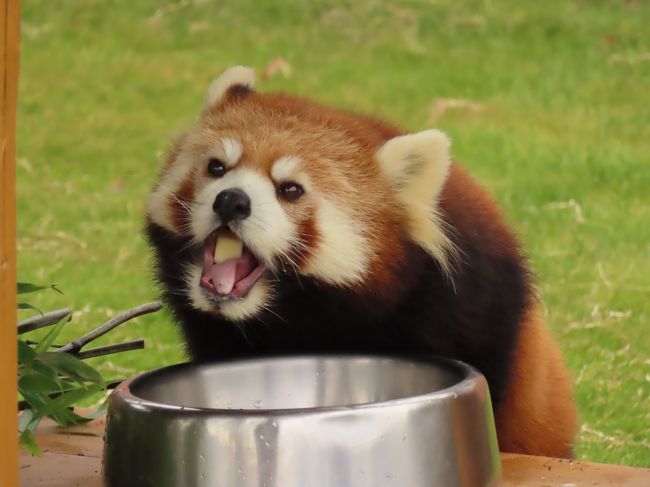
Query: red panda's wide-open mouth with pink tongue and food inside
x,y
230,269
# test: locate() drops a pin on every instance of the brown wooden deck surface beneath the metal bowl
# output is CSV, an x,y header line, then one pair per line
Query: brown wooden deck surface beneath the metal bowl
x,y
73,458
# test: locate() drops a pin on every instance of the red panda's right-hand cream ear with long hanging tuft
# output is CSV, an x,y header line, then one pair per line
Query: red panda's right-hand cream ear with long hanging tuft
x,y
417,165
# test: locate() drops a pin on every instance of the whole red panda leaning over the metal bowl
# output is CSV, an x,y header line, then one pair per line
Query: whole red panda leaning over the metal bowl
x,y
280,225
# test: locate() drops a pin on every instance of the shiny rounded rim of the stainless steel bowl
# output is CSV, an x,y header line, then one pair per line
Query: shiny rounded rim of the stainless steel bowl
x,y
471,379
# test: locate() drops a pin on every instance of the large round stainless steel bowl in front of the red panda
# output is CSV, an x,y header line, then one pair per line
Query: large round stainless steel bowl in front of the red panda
x,y
308,421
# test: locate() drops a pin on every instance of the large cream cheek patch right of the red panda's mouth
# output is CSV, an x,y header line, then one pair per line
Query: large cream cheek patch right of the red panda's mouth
x,y
342,253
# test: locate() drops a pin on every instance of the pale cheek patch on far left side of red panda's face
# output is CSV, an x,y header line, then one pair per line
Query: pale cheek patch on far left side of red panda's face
x,y
170,182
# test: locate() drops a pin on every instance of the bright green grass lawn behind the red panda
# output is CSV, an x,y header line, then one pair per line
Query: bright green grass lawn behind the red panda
x,y
562,139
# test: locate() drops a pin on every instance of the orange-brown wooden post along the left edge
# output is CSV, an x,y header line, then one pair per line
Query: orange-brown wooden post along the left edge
x,y
9,18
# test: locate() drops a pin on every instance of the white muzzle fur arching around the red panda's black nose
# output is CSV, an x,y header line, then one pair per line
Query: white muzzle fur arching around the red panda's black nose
x,y
267,231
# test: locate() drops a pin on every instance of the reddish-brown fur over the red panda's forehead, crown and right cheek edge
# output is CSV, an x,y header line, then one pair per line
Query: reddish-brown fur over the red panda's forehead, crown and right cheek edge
x,y
273,125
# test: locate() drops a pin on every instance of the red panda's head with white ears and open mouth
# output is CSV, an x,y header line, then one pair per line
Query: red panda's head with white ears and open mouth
x,y
270,187
